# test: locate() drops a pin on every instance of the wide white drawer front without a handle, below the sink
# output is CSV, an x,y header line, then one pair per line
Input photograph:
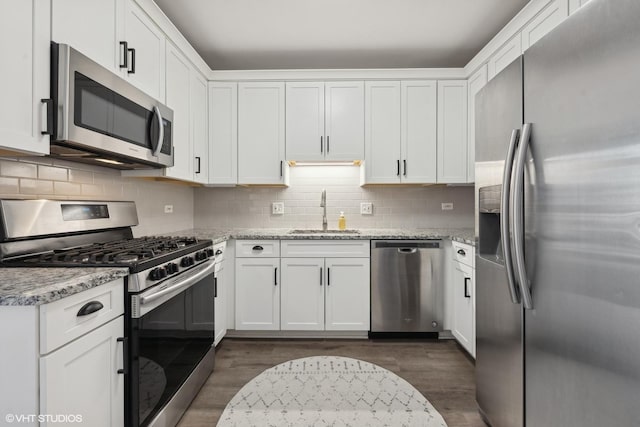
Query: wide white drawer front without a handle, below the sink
x,y
323,248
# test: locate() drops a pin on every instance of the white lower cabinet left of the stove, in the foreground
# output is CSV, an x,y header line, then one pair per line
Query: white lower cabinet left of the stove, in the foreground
x,y
66,359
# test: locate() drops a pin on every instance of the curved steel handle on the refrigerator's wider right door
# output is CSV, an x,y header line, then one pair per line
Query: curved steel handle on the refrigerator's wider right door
x,y
517,206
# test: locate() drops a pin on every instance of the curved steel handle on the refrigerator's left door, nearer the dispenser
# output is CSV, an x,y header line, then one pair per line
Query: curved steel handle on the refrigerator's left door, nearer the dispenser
x,y
505,217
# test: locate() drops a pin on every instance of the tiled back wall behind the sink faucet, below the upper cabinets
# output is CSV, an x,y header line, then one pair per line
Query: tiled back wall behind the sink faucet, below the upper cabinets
x,y
394,206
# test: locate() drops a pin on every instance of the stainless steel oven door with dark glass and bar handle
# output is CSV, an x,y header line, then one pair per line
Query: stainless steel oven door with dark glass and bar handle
x,y
171,337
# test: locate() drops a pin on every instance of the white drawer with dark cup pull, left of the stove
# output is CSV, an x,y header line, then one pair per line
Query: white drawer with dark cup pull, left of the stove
x,y
60,322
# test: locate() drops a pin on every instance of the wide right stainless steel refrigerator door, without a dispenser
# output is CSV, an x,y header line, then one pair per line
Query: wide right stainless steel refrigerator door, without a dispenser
x,y
582,220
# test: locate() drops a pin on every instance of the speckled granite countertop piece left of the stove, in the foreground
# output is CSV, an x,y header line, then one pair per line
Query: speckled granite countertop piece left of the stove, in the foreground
x,y
36,286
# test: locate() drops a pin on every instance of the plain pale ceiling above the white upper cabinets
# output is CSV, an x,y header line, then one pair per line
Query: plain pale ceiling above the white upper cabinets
x,y
314,34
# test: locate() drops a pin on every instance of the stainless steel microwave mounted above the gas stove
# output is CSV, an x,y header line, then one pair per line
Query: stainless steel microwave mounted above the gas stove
x,y
100,118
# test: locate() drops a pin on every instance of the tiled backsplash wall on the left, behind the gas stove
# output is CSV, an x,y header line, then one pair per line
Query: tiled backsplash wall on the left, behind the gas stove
x,y
44,177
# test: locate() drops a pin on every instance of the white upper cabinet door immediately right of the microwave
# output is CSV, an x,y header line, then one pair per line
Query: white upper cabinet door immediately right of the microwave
x,y
178,99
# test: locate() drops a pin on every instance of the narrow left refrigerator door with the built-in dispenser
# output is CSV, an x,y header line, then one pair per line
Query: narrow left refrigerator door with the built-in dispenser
x,y
499,365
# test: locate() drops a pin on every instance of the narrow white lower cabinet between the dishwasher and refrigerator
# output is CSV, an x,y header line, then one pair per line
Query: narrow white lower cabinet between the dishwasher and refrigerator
x,y
463,297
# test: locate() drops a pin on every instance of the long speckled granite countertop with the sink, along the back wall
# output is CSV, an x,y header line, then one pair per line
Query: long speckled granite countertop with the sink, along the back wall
x,y
464,235
